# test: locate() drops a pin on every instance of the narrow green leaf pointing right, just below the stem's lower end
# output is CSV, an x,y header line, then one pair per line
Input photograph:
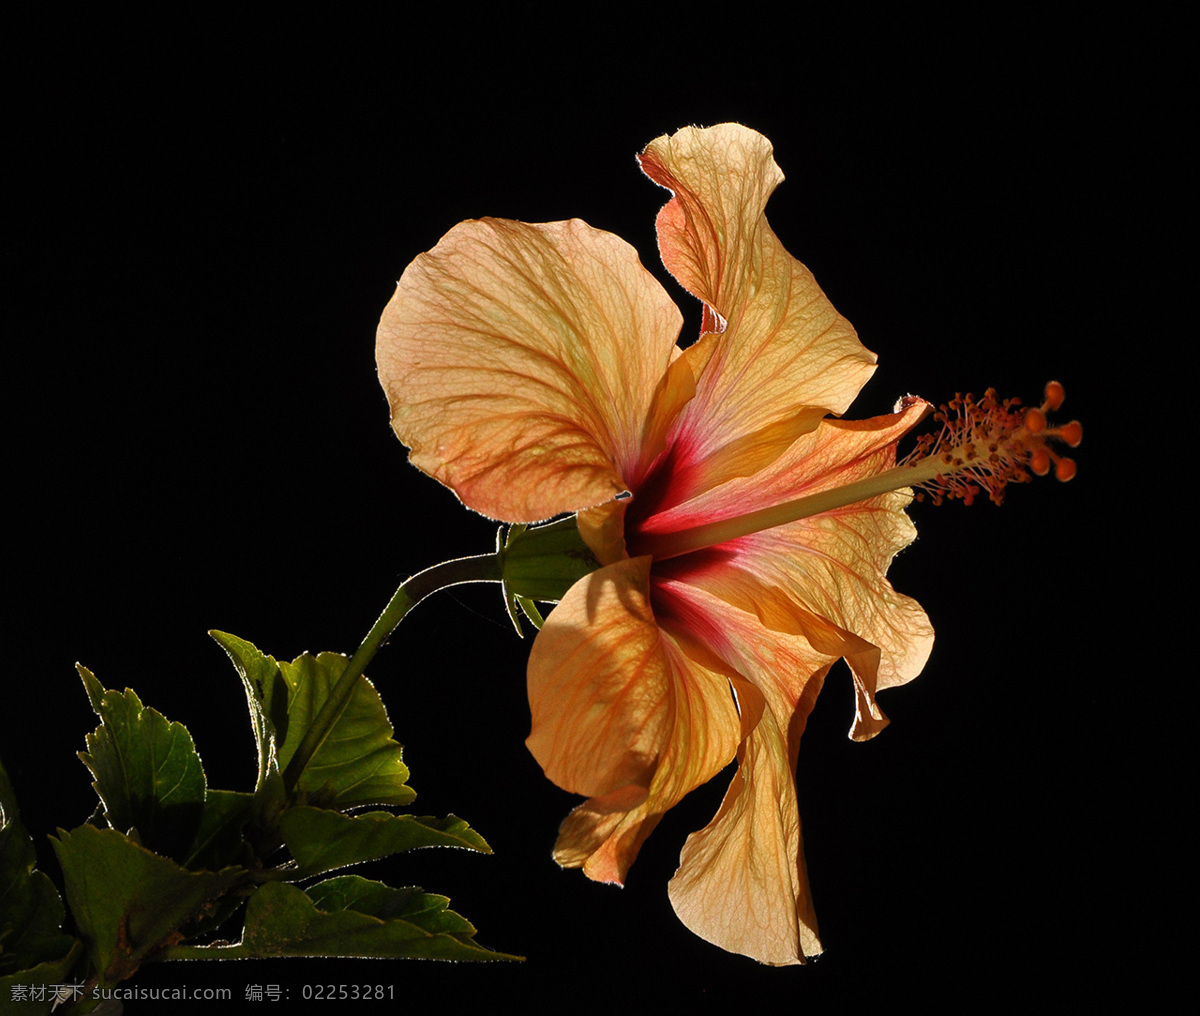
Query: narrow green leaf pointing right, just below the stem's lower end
x,y
326,840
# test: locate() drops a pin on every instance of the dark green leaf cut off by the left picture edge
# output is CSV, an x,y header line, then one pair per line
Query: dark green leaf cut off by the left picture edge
x,y
31,907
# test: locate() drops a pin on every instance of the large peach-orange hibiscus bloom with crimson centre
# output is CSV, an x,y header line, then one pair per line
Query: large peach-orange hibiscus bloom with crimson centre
x,y
535,370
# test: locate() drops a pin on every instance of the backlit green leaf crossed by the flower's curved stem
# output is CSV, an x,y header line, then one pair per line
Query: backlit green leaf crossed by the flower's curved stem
x,y
359,763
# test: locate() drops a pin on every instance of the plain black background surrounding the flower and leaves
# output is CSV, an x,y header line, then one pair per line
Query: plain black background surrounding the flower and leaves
x,y
211,213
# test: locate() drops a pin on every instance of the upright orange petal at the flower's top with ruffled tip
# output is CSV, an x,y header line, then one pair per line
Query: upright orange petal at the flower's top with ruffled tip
x,y
784,357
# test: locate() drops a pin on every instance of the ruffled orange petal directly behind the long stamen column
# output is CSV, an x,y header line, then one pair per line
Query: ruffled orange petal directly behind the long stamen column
x,y
823,578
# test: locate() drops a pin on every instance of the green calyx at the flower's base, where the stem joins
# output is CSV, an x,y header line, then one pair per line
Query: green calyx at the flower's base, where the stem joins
x,y
541,564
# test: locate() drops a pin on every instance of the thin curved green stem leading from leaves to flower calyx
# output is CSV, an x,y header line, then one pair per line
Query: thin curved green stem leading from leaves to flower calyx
x,y
482,568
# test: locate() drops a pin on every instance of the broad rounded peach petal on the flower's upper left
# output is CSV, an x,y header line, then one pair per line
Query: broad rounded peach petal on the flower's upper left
x,y
520,363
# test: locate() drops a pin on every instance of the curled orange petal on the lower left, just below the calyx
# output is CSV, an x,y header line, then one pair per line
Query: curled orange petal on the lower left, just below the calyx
x,y
625,714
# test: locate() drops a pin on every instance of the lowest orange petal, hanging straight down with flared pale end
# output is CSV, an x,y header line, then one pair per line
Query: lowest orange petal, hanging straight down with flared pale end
x,y
742,882
